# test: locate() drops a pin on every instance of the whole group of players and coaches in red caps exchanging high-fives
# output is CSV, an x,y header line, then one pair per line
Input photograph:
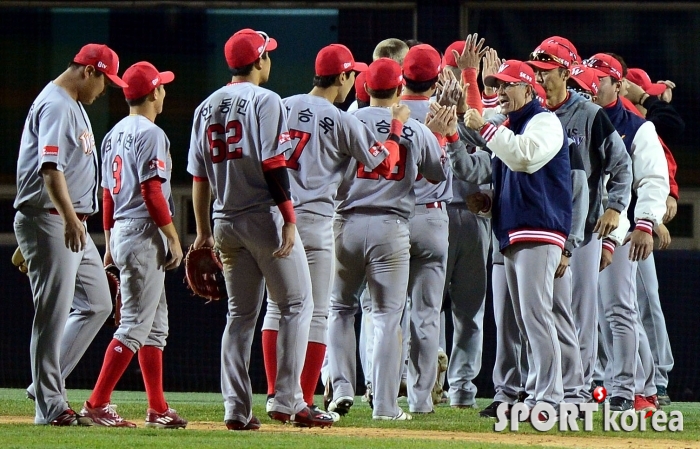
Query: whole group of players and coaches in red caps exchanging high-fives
x,y
385,208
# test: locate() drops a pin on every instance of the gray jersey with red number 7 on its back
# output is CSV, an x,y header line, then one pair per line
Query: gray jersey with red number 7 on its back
x,y
325,139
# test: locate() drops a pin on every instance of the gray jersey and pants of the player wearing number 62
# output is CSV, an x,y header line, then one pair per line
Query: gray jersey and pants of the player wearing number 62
x,y
235,129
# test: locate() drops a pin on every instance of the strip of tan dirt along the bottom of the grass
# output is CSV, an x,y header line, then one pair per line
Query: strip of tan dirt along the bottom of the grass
x,y
578,442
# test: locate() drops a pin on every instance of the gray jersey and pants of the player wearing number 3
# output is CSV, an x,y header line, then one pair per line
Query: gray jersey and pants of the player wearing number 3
x,y
134,151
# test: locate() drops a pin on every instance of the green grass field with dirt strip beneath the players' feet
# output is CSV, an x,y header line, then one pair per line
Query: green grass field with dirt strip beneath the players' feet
x,y
447,428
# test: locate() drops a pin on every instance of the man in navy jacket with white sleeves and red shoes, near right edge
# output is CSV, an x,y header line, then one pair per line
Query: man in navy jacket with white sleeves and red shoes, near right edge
x,y
620,326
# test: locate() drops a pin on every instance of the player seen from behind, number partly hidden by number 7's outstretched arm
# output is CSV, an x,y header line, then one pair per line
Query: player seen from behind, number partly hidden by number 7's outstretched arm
x,y
372,244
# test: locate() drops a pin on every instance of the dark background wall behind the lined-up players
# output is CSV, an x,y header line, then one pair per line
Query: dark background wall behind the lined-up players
x,y
38,39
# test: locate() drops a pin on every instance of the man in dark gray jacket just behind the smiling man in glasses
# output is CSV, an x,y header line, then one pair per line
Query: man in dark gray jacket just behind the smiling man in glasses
x,y
602,152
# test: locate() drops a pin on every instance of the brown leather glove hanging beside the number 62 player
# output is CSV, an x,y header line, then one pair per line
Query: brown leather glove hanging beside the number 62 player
x,y
204,273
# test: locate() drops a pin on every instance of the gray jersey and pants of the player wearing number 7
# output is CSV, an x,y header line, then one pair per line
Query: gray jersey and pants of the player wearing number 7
x,y
326,139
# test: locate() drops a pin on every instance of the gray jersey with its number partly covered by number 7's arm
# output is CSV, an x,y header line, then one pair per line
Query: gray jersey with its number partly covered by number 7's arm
x,y
419,152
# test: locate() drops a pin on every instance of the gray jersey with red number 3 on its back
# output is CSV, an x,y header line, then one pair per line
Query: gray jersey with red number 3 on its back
x,y
134,151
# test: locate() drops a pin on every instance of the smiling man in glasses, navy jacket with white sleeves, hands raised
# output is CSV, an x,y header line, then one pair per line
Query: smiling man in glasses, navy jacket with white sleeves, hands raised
x,y
532,161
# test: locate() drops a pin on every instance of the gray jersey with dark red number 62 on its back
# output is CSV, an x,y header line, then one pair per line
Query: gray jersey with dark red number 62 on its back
x,y
234,130
